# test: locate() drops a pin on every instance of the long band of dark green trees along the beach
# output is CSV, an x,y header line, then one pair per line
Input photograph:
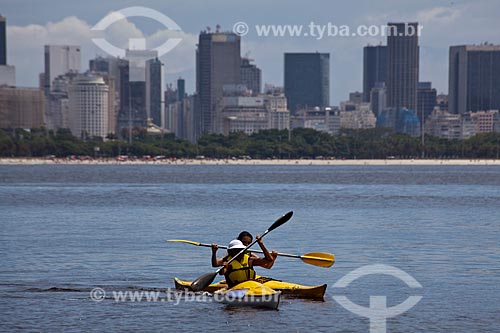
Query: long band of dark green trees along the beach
x,y
374,143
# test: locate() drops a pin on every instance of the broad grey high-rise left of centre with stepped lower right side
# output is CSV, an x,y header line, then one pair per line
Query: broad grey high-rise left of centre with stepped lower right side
x,y
218,62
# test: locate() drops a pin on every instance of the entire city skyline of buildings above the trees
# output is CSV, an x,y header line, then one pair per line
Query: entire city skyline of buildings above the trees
x,y
115,95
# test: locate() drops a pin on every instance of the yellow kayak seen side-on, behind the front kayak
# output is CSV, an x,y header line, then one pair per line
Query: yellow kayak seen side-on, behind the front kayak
x,y
286,288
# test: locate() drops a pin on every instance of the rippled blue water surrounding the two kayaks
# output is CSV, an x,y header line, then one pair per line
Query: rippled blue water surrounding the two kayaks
x,y
67,229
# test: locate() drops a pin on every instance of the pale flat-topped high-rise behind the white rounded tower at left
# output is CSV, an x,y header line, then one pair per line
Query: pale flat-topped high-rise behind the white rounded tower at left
x,y
59,60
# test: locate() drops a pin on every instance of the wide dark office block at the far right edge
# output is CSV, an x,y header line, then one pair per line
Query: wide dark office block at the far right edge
x,y
474,78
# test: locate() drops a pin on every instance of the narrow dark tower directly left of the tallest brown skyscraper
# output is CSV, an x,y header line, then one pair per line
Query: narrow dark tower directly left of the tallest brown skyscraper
x,y
374,68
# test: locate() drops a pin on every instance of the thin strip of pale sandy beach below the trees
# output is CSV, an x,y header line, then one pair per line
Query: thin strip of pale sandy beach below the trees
x,y
113,161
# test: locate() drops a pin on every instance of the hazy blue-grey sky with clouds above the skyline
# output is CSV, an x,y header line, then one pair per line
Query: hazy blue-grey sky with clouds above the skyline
x,y
33,23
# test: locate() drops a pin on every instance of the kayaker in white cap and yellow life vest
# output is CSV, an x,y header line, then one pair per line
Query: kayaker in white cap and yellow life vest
x,y
242,268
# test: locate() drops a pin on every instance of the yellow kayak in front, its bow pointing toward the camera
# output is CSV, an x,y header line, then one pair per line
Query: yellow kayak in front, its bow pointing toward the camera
x,y
249,293
